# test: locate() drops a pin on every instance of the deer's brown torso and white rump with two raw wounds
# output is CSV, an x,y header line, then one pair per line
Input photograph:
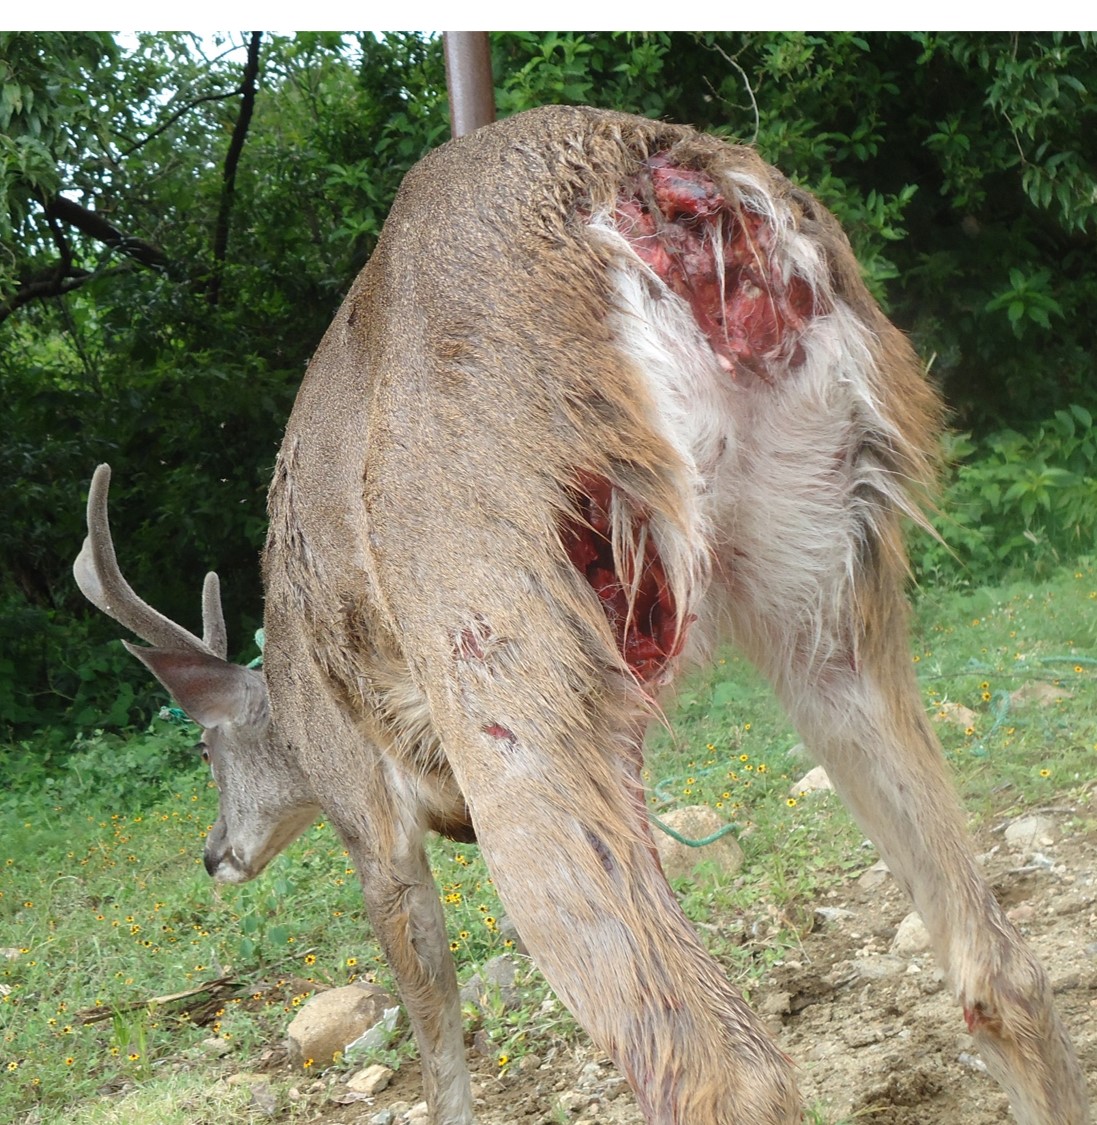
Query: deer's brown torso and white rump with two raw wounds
x,y
643,403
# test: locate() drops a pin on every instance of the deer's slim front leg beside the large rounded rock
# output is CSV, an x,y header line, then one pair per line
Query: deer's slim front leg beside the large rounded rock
x,y
407,917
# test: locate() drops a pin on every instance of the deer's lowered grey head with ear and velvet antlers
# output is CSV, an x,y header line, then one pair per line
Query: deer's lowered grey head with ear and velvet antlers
x,y
257,820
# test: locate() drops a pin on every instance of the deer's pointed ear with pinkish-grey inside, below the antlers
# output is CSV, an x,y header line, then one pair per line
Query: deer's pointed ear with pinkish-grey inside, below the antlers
x,y
212,691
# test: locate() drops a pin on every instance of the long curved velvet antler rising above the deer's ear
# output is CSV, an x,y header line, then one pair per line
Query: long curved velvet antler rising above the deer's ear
x,y
101,581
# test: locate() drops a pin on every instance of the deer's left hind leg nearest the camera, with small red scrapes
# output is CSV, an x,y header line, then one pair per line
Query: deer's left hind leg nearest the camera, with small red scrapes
x,y
552,784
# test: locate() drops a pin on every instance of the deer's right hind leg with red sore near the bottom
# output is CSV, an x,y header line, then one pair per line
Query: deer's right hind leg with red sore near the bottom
x,y
838,652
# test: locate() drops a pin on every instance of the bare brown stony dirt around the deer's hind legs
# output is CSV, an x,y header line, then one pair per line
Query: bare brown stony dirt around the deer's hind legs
x,y
875,1034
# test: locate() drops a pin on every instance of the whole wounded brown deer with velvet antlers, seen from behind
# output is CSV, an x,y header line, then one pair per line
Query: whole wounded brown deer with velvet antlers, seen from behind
x,y
607,390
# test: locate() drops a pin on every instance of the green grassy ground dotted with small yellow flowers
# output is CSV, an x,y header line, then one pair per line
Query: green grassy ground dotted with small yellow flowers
x,y
106,913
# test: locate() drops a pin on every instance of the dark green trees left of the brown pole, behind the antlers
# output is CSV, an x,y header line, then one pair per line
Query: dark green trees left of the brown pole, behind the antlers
x,y
201,256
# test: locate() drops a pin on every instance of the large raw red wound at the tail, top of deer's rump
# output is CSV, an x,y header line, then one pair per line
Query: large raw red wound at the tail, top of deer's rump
x,y
718,257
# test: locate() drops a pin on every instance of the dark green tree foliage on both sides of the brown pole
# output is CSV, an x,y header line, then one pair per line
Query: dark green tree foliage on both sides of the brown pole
x,y
178,224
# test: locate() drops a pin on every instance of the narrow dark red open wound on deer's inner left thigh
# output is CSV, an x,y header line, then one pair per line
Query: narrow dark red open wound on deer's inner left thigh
x,y
639,606
